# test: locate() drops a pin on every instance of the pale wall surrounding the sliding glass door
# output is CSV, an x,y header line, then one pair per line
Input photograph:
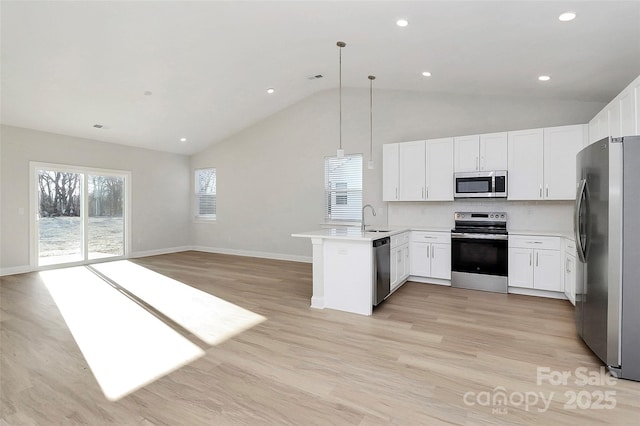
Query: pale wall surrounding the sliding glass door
x,y
160,189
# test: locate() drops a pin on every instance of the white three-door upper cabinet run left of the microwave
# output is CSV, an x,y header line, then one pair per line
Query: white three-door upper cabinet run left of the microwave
x,y
418,170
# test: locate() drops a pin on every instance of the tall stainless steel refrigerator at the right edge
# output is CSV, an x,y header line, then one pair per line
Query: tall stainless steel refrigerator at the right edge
x,y
607,232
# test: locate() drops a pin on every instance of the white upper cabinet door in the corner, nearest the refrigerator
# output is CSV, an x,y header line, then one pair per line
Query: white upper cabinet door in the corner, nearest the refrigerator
x,y
561,145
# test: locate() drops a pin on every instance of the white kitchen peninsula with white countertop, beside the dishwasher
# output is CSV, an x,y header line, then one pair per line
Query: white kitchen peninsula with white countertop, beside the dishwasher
x,y
343,267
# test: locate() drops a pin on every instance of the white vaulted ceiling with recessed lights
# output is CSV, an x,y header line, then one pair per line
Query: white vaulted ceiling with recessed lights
x,y
69,65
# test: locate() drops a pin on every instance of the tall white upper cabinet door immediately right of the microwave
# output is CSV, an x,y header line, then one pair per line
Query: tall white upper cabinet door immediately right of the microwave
x,y
525,154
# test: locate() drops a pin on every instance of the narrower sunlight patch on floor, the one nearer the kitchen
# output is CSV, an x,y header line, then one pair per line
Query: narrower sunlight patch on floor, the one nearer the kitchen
x,y
208,317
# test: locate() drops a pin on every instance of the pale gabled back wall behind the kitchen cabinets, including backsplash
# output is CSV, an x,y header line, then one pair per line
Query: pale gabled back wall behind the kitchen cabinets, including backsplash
x,y
270,176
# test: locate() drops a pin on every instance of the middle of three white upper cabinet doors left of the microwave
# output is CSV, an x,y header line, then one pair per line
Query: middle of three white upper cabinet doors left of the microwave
x,y
412,171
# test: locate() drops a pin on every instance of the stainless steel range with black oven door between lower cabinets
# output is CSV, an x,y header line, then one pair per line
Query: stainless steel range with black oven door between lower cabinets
x,y
479,250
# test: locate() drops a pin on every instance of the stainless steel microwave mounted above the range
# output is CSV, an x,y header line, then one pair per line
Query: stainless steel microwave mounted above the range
x,y
480,184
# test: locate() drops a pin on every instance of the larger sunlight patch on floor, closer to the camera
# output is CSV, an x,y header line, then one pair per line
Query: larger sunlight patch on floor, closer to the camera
x,y
125,346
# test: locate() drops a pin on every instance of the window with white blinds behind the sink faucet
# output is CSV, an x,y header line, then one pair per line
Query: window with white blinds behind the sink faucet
x,y
343,188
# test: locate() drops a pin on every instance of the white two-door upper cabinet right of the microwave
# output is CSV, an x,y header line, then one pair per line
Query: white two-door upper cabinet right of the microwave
x,y
542,162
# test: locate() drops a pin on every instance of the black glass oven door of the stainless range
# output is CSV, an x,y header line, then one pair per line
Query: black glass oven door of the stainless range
x,y
479,254
